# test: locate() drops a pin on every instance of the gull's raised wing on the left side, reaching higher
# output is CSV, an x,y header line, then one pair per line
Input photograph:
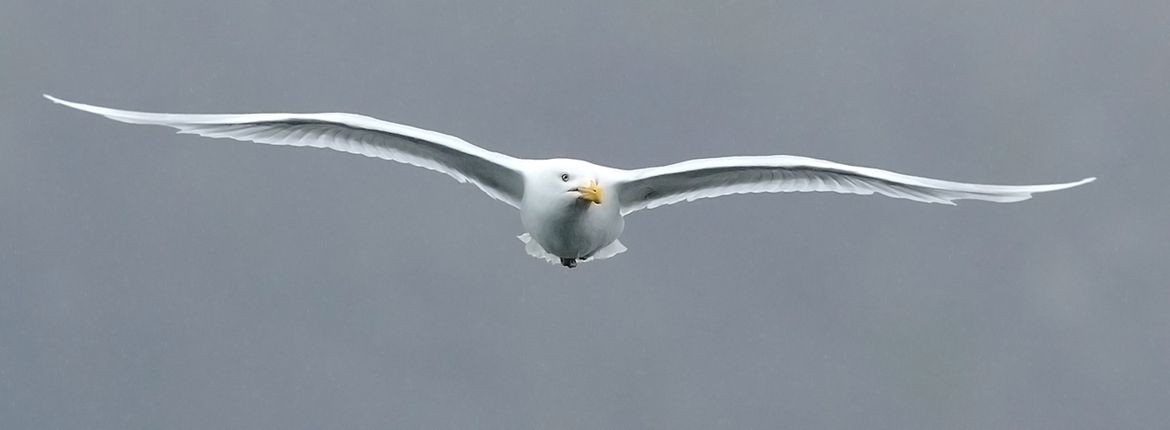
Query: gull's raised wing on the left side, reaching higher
x,y
497,175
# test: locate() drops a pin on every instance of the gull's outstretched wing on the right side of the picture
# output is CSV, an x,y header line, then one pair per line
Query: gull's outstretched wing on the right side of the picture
x,y
710,178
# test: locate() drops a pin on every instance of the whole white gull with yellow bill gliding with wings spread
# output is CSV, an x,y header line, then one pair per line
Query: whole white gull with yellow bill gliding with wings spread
x,y
573,211
